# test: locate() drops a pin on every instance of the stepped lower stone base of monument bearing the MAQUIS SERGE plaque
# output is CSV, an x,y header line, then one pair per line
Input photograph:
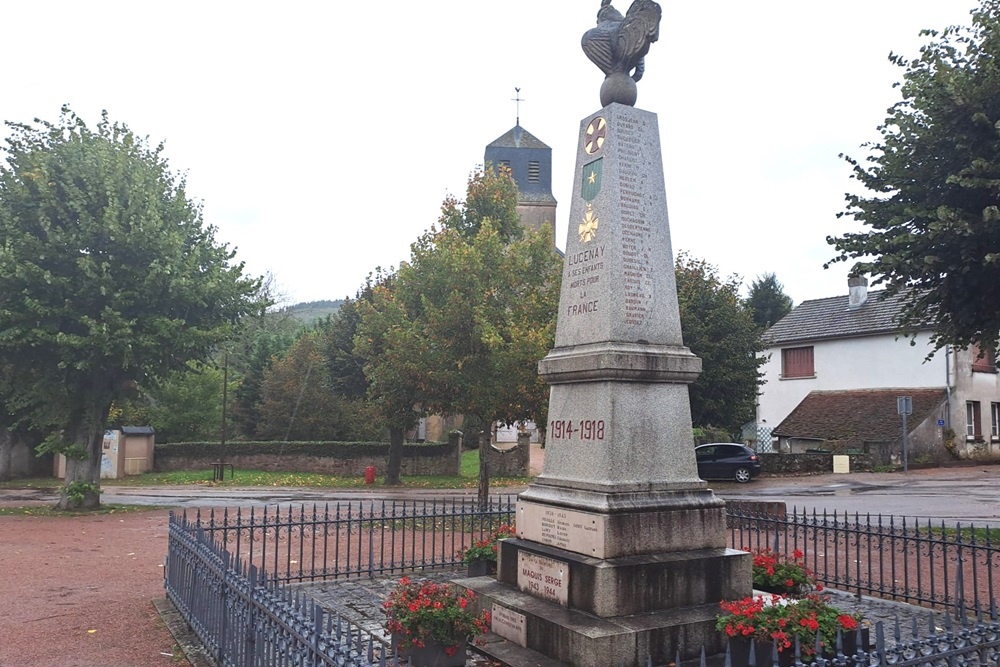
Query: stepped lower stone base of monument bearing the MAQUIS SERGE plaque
x,y
595,612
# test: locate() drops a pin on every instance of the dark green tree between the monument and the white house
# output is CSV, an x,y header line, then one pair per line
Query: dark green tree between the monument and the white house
x,y
718,327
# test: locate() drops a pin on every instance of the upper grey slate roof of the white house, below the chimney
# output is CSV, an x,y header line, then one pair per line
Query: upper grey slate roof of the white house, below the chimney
x,y
831,318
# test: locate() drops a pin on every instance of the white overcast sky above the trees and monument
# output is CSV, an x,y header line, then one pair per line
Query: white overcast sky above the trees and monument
x,y
322,137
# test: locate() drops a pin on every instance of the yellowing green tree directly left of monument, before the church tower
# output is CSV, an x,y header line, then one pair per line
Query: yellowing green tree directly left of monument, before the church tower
x,y
488,297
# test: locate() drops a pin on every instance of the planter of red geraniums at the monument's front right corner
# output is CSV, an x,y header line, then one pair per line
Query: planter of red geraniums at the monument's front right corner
x,y
774,623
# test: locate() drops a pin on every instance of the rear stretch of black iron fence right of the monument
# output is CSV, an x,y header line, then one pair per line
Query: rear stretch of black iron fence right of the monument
x,y
909,560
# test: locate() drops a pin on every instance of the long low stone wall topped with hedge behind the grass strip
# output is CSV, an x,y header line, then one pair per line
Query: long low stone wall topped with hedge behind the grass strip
x,y
341,459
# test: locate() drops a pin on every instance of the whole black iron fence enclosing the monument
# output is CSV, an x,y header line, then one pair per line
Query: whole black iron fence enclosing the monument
x,y
228,573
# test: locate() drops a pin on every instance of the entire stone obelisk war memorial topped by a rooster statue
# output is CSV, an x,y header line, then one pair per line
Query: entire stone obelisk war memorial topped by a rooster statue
x,y
620,555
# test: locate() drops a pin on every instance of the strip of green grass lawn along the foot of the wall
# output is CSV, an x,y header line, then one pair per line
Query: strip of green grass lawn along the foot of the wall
x,y
467,479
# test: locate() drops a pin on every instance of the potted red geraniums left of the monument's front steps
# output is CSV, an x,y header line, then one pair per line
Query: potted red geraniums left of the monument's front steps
x,y
431,623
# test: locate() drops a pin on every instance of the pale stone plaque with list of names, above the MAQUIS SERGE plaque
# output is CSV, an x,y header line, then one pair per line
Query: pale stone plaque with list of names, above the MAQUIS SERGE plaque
x,y
579,532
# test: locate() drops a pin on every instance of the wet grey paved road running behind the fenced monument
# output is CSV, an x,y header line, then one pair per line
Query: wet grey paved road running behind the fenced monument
x,y
967,494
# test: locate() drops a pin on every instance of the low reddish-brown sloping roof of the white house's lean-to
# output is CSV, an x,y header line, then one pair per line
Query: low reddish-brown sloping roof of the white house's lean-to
x,y
857,416
